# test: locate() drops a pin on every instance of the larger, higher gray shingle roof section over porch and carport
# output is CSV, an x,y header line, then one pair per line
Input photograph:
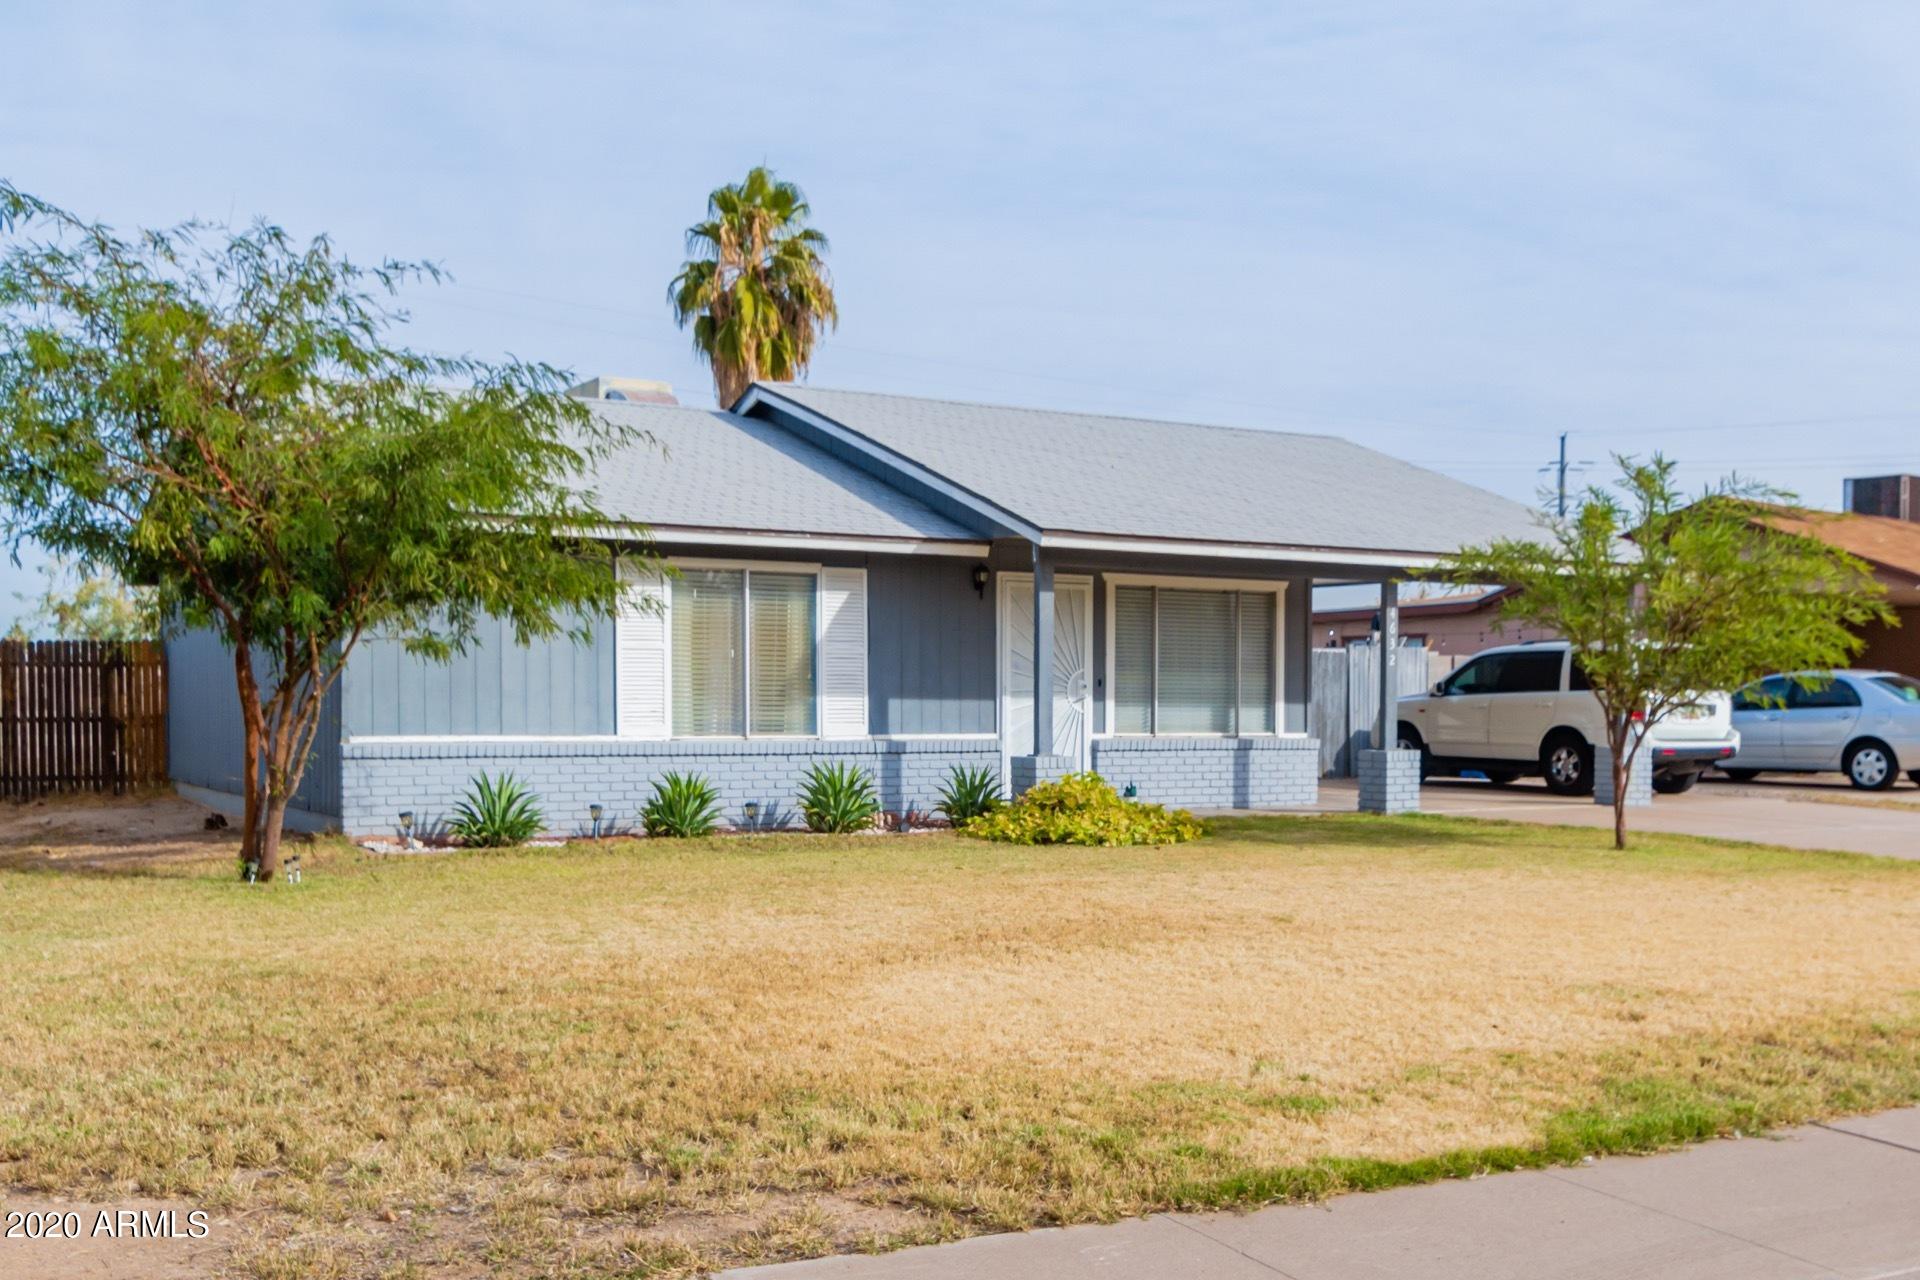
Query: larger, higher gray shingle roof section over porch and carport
x,y
1143,479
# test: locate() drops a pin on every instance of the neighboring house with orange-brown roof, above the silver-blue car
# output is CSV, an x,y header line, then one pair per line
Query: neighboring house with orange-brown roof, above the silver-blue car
x,y
1881,527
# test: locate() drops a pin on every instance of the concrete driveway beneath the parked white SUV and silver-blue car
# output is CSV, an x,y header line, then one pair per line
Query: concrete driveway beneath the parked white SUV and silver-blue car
x,y
1796,813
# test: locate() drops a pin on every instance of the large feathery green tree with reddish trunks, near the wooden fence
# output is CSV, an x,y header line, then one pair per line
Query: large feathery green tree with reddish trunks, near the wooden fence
x,y
222,414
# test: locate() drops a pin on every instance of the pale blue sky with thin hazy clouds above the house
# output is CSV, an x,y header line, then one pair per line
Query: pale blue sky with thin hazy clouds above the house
x,y
1445,231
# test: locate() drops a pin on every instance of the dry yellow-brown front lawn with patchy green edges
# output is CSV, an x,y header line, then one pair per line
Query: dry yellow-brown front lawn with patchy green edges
x,y
654,1058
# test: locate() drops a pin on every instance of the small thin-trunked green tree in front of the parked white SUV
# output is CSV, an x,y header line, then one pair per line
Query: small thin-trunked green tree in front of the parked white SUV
x,y
1666,598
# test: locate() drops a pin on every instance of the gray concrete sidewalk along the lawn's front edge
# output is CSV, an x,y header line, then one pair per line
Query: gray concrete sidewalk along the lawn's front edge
x,y
1833,1200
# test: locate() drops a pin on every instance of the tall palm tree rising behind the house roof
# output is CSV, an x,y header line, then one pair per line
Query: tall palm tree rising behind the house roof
x,y
756,285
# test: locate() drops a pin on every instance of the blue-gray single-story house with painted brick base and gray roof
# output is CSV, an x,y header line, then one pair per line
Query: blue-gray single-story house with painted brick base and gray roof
x,y
892,582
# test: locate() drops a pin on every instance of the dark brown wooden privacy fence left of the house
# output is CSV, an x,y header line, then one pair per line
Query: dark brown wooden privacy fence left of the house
x,y
82,717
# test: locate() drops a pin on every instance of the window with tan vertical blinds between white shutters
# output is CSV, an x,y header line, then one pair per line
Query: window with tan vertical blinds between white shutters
x,y
744,653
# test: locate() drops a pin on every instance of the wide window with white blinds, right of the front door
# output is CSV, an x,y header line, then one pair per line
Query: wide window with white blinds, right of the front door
x,y
1193,661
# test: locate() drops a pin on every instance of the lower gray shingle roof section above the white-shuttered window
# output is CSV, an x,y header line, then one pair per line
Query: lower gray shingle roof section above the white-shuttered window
x,y
719,471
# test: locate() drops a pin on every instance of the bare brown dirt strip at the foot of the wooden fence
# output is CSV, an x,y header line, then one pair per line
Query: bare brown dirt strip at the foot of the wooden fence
x,y
108,834
